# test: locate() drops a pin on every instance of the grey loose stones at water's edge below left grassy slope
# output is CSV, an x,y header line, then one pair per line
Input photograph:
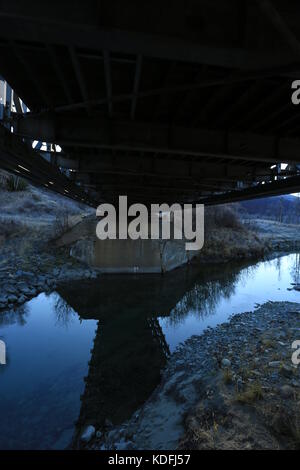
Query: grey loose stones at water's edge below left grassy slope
x,y
31,264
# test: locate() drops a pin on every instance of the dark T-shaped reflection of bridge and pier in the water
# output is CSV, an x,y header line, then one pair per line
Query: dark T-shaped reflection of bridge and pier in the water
x,y
129,348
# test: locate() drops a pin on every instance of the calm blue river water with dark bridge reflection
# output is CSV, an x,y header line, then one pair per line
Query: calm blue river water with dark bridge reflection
x,y
93,352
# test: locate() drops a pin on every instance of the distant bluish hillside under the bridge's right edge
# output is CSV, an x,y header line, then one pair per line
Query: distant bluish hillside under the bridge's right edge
x,y
284,209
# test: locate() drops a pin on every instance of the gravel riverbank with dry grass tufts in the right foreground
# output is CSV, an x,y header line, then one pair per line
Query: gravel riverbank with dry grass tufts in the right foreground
x,y
233,387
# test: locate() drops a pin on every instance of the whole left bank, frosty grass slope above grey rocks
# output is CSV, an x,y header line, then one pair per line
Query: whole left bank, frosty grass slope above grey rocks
x,y
29,261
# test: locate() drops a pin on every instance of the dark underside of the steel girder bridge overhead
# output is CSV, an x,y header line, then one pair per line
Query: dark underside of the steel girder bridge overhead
x,y
161,101
